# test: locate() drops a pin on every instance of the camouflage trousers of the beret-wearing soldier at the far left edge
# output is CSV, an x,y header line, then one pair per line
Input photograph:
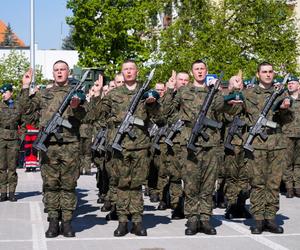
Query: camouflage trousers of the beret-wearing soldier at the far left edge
x,y
8,163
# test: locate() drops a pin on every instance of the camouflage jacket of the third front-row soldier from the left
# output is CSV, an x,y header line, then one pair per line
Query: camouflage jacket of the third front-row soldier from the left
x,y
185,105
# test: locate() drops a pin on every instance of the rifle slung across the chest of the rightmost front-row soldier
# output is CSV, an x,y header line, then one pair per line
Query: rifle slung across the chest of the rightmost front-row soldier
x,y
262,121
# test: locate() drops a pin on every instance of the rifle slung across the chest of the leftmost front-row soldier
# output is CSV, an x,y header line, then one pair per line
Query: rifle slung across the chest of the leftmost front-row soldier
x,y
57,120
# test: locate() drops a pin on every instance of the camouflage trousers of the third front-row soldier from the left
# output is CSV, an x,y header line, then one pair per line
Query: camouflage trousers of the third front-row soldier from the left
x,y
199,174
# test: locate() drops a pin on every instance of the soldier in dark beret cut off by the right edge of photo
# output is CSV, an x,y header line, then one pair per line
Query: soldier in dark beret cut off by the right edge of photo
x,y
291,174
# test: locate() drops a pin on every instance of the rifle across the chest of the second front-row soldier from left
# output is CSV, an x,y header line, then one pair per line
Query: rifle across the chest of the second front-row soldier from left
x,y
129,119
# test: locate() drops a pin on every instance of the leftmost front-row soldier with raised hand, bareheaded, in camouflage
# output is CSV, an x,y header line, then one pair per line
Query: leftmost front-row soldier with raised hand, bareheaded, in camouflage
x,y
60,164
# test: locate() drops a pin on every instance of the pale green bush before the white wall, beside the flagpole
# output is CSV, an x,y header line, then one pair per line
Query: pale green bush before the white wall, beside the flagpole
x,y
12,68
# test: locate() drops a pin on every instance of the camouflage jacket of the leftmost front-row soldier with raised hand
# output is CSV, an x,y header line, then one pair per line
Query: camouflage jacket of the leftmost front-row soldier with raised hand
x,y
47,102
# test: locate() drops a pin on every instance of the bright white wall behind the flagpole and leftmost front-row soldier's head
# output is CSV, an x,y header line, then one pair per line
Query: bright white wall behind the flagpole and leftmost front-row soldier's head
x,y
46,58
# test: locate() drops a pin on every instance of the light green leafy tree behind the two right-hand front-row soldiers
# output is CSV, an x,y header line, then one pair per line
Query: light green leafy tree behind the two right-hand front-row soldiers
x,y
232,35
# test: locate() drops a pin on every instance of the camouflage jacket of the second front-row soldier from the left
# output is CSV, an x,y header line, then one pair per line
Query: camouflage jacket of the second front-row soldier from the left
x,y
112,111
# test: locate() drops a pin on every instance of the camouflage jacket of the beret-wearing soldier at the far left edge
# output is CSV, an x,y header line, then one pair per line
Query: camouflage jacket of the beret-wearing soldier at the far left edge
x,y
10,118
